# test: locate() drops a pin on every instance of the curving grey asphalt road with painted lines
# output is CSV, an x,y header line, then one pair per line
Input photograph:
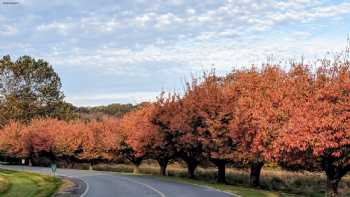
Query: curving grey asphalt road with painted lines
x,y
108,184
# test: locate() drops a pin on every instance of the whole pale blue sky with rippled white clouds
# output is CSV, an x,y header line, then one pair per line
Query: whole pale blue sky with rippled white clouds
x,y
129,50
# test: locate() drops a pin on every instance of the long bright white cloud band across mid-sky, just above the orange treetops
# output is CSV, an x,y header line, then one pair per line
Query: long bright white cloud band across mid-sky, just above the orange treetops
x,y
195,55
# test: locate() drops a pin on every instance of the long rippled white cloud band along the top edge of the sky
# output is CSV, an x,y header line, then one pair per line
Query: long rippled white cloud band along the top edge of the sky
x,y
250,15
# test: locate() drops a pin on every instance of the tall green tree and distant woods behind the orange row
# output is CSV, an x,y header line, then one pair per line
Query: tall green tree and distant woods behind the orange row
x,y
30,88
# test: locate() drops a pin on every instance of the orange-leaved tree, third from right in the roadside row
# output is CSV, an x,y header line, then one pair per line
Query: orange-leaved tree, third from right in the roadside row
x,y
211,100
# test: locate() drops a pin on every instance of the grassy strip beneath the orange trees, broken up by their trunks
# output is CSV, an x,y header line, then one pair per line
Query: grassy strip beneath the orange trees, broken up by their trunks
x,y
274,182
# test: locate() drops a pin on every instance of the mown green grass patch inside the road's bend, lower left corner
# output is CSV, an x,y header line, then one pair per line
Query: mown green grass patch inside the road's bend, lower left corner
x,y
18,184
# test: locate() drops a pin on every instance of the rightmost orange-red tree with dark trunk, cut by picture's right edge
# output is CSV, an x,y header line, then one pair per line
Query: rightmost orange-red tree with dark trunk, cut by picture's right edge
x,y
319,130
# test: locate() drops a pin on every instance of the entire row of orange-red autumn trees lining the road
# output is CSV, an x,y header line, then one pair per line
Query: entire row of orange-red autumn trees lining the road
x,y
292,117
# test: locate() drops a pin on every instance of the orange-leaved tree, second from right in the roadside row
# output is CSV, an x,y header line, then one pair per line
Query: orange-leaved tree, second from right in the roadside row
x,y
259,114
